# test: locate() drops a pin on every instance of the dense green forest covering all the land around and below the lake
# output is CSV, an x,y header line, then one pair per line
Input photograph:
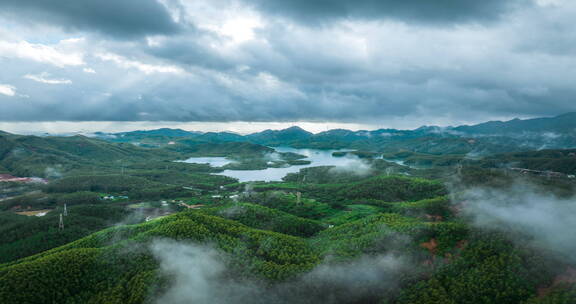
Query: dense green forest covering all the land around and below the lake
x,y
149,229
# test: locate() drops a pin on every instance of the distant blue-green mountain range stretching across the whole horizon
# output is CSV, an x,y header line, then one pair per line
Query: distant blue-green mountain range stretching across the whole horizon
x,y
25,155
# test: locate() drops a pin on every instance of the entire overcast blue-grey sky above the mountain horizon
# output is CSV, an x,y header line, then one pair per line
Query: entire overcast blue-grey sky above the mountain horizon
x,y
250,64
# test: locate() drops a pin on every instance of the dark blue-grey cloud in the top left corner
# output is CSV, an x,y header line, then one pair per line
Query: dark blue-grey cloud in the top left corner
x,y
120,18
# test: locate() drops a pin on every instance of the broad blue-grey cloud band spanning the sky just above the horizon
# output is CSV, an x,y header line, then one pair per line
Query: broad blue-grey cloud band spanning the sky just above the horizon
x,y
176,98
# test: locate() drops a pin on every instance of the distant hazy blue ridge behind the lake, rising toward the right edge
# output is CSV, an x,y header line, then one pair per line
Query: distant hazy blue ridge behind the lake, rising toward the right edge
x,y
486,138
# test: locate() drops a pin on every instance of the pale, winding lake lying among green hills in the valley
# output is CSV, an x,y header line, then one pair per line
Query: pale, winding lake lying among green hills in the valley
x,y
316,157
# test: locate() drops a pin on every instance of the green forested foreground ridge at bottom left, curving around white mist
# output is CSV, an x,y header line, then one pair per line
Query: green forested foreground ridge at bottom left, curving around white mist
x,y
117,266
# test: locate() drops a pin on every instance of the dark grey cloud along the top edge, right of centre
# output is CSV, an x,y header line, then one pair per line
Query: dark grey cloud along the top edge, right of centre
x,y
417,11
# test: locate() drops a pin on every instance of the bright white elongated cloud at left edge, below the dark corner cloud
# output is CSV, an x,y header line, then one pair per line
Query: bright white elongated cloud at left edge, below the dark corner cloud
x,y
40,53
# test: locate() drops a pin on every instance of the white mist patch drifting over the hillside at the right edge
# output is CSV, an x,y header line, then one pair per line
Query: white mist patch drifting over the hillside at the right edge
x,y
527,210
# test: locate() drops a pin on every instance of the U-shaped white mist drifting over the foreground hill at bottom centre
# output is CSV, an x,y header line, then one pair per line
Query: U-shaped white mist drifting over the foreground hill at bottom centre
x,y
199,274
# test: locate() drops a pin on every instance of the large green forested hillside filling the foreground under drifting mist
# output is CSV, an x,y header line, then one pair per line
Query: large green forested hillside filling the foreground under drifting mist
x,y
242,247
